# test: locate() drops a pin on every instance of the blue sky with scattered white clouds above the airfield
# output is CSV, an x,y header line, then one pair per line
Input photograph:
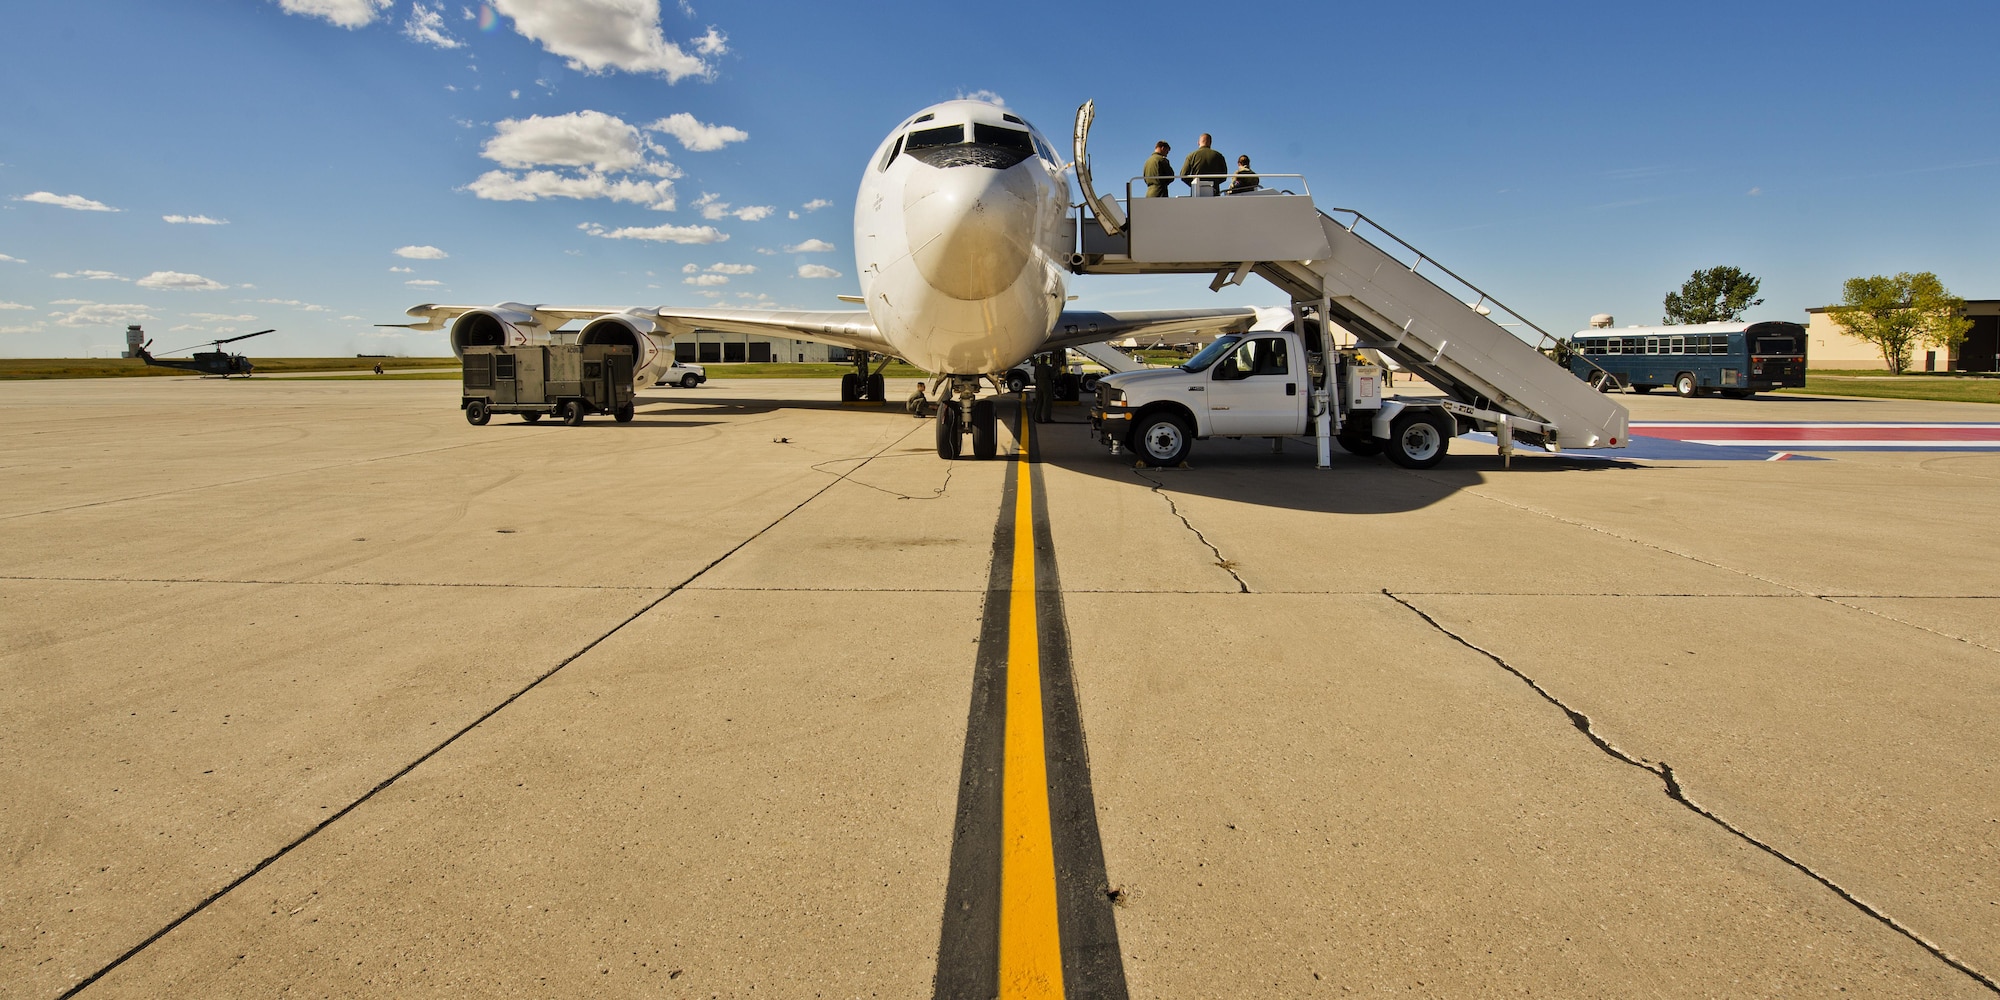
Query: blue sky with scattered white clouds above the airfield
x,y
233,165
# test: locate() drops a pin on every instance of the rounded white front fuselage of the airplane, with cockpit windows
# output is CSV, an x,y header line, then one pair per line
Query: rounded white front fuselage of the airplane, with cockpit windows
x,y
961,239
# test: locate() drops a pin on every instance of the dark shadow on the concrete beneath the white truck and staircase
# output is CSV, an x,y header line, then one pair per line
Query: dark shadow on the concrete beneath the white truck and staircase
x,y
1245,471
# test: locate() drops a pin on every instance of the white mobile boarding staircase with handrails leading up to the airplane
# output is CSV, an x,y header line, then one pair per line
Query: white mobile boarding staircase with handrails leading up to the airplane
x,y
1377,287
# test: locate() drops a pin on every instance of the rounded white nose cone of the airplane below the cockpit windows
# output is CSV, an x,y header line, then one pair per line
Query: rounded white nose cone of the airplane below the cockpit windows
x,y
971,229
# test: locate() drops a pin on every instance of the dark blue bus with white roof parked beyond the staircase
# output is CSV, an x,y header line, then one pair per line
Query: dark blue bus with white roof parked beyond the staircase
x,y
1733,359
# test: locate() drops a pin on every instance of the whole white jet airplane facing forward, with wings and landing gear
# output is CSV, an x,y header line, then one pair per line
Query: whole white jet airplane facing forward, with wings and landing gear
x,y
963,241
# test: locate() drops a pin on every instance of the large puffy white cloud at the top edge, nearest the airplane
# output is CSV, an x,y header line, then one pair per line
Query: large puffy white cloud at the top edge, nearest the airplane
x,y
611,35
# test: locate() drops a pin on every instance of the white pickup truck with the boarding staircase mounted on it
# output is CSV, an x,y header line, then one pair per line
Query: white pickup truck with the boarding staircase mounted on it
x,y
1259,385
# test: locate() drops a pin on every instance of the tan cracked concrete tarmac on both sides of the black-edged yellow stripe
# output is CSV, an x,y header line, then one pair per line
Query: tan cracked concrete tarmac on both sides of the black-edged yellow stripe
x,y
319,691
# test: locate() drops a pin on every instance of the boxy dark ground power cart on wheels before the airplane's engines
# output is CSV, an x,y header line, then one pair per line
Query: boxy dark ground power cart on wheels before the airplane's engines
x,y
567,381
